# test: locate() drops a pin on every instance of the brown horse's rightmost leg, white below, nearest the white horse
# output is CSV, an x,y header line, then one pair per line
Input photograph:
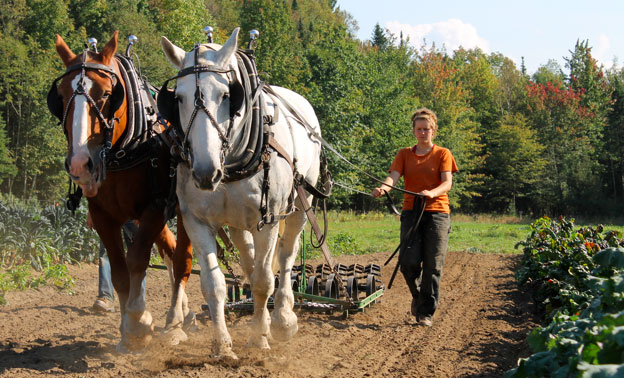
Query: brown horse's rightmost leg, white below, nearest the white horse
x,y
179,316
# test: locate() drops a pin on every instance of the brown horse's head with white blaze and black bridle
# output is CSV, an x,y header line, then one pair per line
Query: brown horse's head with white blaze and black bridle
x,y
89,95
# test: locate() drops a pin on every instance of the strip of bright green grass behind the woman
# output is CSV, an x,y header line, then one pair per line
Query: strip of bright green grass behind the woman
x,y
353,233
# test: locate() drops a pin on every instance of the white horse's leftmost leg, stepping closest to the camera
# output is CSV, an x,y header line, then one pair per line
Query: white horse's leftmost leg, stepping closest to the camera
x,y
212,282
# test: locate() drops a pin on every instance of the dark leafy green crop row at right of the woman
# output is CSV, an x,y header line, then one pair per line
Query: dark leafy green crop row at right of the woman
x,y
576,276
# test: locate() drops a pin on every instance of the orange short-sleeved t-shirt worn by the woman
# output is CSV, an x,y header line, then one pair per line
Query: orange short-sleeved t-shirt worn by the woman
x,y
422,172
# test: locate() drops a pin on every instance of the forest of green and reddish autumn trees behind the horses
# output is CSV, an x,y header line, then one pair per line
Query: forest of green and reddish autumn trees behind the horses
x,y
547,143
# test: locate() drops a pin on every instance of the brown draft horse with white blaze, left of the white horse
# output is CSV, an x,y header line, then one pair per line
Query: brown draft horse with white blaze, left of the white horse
x,y
92,103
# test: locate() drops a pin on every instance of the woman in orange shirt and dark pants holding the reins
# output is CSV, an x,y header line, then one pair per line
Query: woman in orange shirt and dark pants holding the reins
x,y
427,170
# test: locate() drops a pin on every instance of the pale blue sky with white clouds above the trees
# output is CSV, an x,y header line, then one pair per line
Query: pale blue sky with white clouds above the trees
x,y
537,30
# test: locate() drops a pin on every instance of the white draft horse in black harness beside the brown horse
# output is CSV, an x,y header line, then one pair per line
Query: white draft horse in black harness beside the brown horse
x,y
212,117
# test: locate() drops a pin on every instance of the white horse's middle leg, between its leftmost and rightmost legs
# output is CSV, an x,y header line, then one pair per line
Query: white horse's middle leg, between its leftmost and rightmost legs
x,y
262,284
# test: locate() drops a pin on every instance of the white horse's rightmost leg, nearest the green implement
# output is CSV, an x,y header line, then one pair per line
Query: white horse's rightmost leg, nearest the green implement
x,y
283,319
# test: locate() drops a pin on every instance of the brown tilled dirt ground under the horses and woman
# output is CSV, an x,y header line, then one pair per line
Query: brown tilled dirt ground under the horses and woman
x,y
479,330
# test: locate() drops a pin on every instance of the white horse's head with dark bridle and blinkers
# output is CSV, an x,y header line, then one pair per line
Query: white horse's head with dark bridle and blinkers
x,y
206,100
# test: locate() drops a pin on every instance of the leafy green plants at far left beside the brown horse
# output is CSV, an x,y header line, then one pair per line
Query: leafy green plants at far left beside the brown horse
x,y
37,243
